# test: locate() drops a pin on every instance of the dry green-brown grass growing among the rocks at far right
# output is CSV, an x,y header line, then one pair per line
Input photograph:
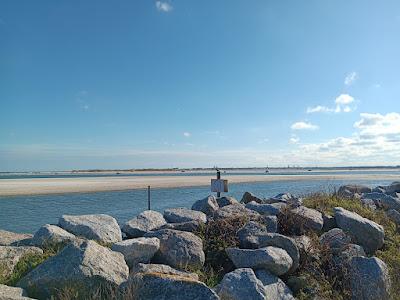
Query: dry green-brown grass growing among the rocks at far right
x,y
390,253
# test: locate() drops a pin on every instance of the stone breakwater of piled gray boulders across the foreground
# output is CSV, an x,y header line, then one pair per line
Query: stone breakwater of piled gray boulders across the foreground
x,y
158,256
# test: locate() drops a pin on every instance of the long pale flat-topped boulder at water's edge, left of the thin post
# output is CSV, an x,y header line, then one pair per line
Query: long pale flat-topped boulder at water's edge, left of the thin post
x,y
102,228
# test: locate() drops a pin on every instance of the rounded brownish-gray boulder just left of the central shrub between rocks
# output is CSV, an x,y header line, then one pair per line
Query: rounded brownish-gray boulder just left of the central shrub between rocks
x,y
179,249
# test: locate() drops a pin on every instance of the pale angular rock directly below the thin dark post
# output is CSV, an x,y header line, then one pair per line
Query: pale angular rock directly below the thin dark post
x,y
146,221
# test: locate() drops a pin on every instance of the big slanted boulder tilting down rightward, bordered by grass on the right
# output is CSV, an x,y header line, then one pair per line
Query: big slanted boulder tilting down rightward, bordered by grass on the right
x,y
365,232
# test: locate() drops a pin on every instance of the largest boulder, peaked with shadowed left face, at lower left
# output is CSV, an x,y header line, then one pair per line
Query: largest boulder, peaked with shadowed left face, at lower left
x,y
81,263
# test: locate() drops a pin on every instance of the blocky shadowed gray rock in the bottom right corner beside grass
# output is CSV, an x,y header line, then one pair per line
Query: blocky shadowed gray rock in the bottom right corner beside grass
x,y
369,279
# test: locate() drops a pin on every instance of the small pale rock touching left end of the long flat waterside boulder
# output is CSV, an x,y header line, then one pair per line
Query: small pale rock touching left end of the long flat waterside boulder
x,y
49,235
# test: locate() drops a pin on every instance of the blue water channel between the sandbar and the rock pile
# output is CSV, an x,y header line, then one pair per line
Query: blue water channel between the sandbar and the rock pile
x,y
28,213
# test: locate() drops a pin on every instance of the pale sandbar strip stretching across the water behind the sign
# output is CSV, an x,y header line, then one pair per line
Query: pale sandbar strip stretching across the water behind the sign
x,y
38,186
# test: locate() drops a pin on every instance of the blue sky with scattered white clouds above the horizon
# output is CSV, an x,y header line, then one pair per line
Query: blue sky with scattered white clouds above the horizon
x,y
134,84
